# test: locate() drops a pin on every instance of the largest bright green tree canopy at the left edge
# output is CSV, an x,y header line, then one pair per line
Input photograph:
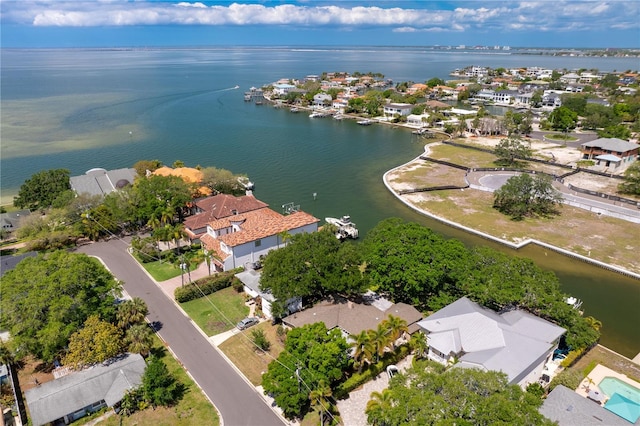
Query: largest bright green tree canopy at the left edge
x,y
47,298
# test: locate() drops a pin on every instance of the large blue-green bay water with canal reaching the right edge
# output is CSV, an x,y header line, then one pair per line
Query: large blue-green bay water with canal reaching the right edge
x,y
79,109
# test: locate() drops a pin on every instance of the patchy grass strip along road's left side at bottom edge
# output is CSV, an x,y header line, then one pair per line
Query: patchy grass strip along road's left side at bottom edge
x,y
193,409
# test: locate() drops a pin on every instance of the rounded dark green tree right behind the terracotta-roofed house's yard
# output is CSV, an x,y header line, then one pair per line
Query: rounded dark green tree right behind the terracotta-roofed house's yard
x,y
312,266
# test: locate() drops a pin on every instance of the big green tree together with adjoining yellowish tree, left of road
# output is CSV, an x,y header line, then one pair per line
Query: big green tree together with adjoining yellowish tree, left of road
x,y
63,306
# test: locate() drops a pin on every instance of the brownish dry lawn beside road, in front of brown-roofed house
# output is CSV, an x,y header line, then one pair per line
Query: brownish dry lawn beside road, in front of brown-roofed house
x,y
244,355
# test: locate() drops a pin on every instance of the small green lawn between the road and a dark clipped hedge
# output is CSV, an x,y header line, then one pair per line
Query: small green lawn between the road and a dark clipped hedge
x,y
217,312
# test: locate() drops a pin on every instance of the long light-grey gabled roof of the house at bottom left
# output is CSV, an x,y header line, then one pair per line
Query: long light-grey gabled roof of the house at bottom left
x,y
55,399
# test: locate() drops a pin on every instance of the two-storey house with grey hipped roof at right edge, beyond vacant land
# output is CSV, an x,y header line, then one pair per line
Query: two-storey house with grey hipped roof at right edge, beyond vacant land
x,y
611,153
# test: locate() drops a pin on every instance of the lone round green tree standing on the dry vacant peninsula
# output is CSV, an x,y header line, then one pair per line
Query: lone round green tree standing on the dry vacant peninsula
x,y
523,196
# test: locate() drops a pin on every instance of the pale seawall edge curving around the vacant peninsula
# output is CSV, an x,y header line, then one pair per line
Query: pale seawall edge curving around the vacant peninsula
x,y
506,243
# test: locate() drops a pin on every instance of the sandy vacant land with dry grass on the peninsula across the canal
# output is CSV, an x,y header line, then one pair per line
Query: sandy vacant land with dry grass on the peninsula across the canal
x,y
610,240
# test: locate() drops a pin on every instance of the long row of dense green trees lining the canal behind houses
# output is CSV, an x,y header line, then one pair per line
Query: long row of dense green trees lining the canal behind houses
x,y
410,263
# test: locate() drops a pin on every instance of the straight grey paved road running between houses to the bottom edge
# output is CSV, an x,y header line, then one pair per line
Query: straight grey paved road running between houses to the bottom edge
x,y
238,403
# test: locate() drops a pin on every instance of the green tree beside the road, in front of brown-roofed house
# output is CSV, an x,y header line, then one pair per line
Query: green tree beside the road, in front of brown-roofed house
x,y
312,358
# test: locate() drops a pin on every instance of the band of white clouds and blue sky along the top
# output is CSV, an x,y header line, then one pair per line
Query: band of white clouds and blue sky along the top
x,y
488,15
